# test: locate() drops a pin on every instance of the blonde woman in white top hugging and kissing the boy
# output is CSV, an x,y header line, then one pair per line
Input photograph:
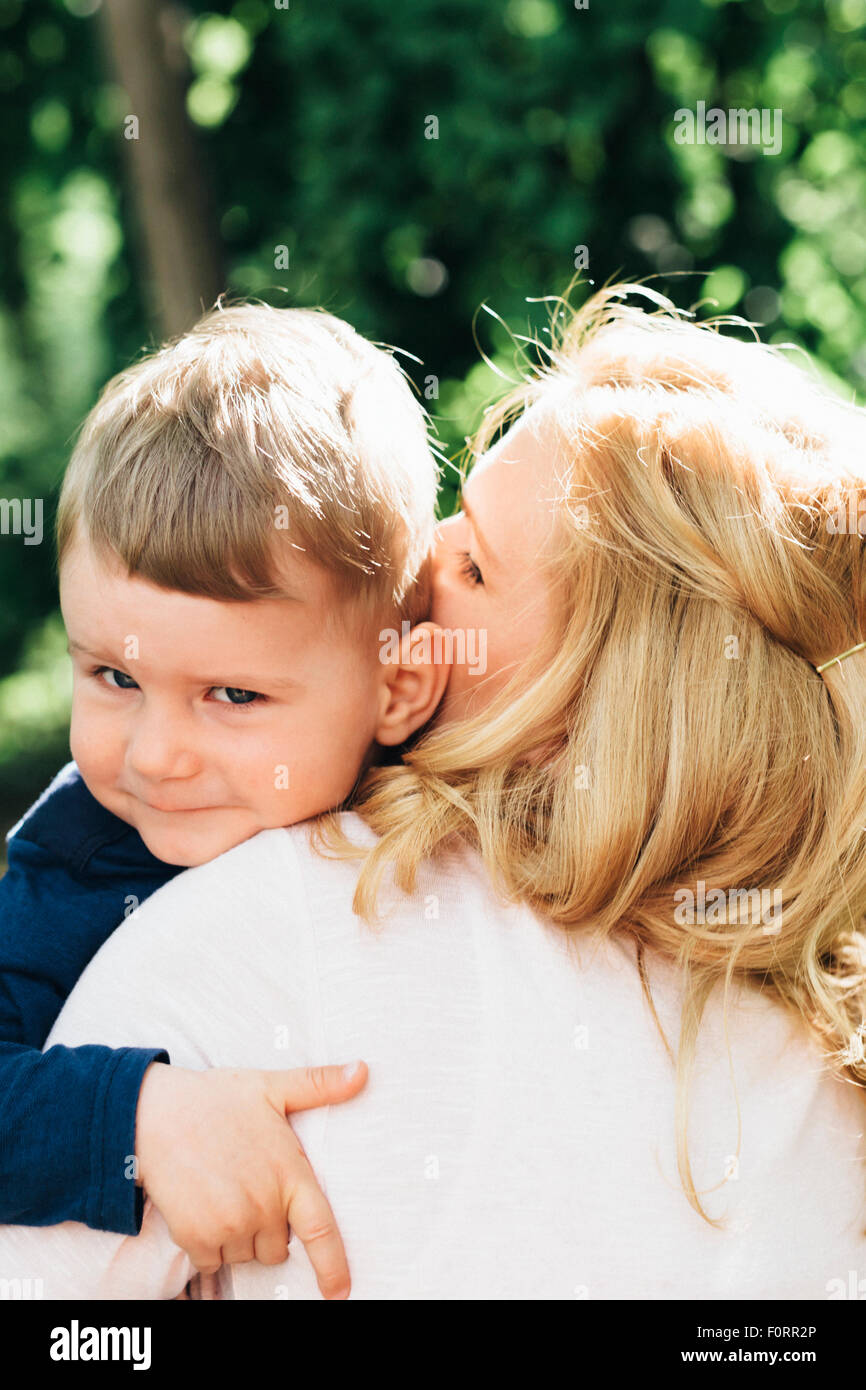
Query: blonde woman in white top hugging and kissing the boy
x,y
646,818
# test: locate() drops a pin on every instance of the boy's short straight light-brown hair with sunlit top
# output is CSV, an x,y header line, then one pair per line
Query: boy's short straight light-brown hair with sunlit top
x,y
256,430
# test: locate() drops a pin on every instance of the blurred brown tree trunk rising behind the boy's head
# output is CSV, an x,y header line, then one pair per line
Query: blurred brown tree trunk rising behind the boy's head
x,y
170,190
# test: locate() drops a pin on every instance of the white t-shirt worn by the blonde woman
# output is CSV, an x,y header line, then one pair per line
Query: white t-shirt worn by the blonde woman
x,y
516,1138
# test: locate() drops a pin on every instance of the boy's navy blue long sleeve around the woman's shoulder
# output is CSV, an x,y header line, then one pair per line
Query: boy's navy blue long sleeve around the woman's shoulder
x,y
67,1117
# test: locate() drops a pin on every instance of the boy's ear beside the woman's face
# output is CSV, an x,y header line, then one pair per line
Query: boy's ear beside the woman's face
x,y
414,685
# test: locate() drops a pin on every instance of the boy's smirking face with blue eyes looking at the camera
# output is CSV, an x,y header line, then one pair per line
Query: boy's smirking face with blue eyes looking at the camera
x,y
202,722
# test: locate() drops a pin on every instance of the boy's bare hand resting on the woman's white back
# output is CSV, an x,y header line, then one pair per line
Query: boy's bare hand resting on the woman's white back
x,y
219,1160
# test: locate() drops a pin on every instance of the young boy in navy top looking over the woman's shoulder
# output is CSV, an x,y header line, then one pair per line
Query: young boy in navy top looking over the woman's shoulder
x,y
244,512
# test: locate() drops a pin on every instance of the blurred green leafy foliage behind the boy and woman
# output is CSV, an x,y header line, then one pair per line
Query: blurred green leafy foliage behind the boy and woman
x,y
555,130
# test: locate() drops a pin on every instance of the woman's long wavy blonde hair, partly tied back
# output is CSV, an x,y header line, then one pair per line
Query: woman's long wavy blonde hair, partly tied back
x,y
705,562
